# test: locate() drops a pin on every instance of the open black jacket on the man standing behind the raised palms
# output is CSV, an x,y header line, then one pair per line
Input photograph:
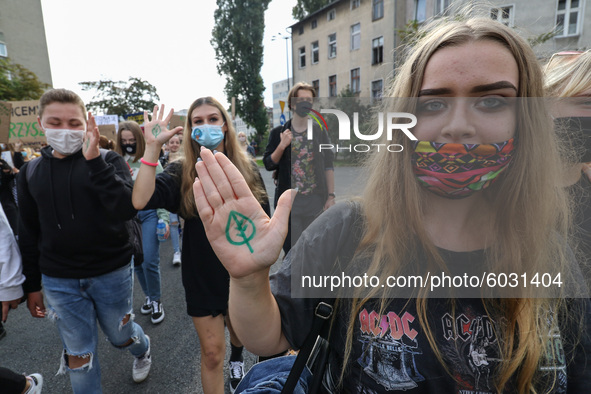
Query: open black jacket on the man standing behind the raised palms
x,y
284,166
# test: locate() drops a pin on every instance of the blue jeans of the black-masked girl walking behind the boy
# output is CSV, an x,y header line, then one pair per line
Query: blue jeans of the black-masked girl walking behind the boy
x,y
148,273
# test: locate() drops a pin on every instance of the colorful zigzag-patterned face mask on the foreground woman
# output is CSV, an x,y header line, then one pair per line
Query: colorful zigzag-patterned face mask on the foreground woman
x,y
458,170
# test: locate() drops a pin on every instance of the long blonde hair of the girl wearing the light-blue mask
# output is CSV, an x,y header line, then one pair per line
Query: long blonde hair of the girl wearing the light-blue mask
x,y
233,151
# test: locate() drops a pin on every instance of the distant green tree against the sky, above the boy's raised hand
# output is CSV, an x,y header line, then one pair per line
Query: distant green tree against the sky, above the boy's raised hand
x,y
120,97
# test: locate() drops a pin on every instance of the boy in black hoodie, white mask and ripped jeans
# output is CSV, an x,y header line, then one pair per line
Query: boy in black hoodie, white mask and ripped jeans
x,y
73,207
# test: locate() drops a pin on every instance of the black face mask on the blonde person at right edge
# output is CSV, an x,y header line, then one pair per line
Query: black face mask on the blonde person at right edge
x,y
576,131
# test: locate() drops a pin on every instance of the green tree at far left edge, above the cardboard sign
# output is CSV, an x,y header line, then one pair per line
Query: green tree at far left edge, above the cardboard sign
x,y
18,83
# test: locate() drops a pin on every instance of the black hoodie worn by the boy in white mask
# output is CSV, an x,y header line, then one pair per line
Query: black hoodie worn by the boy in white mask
x,y
72,216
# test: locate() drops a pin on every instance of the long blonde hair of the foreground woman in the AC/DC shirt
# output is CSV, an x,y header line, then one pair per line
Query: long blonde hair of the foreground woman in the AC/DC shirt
x,y
533,212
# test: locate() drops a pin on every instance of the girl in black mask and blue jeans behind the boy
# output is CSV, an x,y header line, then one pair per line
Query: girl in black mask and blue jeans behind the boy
x,y
131,145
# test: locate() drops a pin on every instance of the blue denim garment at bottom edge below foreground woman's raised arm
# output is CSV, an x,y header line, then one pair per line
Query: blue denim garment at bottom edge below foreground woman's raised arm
x,y
269,377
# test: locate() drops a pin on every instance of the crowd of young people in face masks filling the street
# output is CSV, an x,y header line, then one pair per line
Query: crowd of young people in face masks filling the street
x,y
496,180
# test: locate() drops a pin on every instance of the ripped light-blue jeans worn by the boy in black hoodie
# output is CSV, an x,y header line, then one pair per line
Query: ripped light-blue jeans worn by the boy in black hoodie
x,y
76,305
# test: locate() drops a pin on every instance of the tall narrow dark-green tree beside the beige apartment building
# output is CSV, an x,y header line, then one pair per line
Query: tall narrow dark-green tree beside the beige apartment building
x,y
238,43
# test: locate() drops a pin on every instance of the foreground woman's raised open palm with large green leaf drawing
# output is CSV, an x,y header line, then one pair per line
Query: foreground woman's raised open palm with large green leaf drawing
x,y
243,237
